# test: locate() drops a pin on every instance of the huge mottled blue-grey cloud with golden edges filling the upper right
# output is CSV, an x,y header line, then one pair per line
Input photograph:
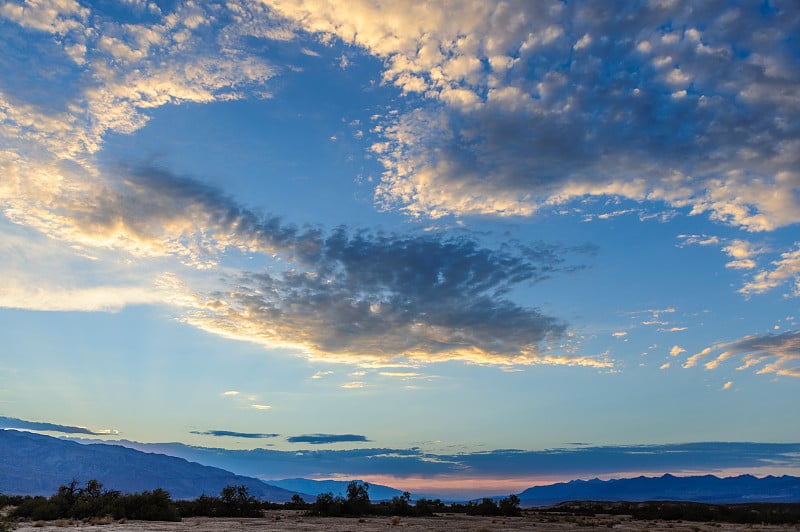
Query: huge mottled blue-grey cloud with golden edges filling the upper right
x,y
534,104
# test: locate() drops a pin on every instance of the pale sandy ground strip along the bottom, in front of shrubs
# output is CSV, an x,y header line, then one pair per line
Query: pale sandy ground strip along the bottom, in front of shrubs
x,y
295,521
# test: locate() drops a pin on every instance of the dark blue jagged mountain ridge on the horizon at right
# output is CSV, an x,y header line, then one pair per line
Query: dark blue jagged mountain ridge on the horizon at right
x,y
706,489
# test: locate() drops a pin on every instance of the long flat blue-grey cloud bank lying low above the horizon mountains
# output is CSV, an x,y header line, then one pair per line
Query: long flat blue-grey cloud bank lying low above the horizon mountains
x,y
562,463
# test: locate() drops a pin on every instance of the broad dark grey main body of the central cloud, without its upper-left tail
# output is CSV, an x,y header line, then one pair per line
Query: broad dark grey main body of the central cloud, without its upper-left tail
x,y
389,295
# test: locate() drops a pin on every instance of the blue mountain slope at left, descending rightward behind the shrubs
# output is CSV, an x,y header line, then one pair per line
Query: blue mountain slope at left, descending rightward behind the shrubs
x,y
34,464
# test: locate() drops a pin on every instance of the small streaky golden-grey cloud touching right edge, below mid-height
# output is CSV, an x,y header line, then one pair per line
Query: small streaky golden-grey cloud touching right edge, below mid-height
x,y
777,354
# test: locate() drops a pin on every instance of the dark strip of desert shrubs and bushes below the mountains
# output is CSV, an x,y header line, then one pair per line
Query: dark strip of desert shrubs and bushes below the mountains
x,y
92,504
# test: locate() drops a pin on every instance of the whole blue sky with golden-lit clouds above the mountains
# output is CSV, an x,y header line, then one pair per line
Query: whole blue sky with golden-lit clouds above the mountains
x,y
451,232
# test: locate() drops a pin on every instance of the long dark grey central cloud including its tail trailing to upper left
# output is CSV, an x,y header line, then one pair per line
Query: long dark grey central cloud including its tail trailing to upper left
x,y
346,293
